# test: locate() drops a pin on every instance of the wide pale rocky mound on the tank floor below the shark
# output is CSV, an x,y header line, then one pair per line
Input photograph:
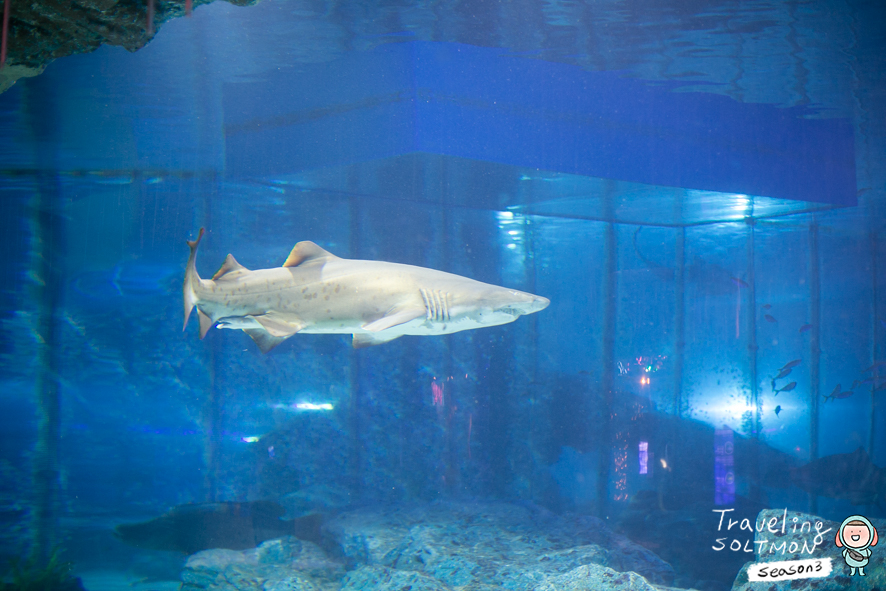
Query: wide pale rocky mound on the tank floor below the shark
x,y
438,547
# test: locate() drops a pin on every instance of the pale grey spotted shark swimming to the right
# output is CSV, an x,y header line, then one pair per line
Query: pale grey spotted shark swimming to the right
x,y
316,292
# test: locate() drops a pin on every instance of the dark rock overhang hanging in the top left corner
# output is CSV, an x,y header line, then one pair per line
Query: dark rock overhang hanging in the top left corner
x,y
42,31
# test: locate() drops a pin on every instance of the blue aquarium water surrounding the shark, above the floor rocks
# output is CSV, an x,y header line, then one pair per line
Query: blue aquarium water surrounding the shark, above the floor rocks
x,y
690,185
